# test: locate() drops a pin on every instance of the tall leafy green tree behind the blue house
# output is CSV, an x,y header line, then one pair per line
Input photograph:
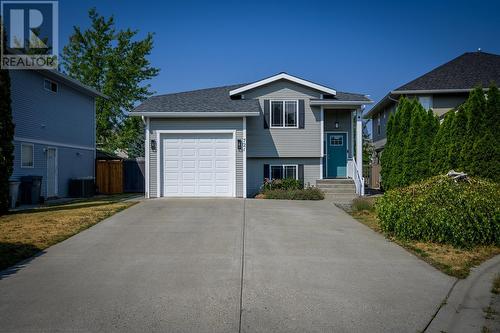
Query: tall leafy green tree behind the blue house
x,y
115,63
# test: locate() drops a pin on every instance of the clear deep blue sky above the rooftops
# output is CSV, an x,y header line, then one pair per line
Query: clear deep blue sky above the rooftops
x,y
355,46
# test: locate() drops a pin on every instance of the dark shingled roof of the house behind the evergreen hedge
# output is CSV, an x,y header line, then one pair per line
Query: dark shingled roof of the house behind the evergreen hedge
x,y
467,71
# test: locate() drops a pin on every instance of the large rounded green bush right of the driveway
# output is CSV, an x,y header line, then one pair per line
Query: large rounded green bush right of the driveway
x,y
462,213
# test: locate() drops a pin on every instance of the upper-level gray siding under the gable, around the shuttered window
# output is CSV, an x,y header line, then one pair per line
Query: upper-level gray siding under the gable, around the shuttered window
x,y
284,142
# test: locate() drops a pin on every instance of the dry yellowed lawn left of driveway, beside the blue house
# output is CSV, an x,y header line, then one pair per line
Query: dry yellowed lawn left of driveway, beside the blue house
x,y
25,233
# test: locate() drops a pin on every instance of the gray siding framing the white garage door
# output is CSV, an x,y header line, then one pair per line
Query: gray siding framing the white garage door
x,y
195,124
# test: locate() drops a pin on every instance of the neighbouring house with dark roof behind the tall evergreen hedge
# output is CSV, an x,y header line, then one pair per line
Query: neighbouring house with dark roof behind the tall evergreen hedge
x,y
442,89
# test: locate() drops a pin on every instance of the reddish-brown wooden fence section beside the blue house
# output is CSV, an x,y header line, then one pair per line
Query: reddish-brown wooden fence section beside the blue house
x,y
109,177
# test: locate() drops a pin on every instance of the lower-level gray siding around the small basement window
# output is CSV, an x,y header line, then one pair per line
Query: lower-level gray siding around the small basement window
x,y
255,171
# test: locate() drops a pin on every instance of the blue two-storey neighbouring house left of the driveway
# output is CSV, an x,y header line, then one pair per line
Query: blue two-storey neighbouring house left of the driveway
x,y
54,135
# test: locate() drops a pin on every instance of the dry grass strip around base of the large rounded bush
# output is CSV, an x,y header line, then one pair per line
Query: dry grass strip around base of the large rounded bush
x,y
451,260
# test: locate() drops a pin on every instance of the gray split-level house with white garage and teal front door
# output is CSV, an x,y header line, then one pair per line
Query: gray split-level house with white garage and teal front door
x,y
225,141
